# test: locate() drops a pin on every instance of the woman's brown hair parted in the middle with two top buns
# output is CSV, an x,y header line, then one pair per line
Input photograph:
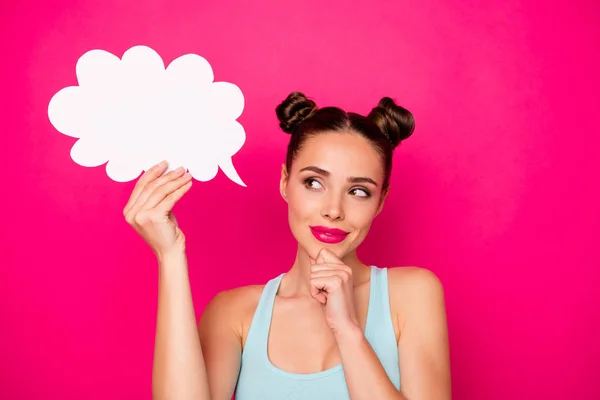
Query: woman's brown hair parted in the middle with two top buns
x,y
386,126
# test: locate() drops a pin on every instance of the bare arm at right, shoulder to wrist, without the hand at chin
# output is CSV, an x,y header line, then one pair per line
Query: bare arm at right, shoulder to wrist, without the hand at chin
x,y
422,349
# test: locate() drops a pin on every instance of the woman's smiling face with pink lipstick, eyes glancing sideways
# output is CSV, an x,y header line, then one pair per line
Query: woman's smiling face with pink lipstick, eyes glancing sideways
x,y
333,192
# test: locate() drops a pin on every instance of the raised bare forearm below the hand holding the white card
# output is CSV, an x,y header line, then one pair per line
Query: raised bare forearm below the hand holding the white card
x,y
178,370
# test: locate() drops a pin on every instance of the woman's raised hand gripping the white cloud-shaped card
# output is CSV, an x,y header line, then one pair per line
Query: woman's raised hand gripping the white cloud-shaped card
x,y
149,209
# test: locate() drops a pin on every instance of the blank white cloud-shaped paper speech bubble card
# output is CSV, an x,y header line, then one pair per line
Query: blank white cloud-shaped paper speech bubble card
x,y
131,113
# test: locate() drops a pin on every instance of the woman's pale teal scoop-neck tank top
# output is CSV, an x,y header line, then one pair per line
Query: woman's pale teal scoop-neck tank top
x,y
259,379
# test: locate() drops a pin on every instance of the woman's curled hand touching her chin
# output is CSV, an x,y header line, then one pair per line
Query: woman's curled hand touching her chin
x,y
331,285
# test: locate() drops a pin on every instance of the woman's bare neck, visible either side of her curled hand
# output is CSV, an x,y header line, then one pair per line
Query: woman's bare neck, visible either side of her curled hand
x,y
296,282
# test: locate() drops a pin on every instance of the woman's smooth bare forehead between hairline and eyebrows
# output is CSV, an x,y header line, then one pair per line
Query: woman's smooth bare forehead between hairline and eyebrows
x,y
342,153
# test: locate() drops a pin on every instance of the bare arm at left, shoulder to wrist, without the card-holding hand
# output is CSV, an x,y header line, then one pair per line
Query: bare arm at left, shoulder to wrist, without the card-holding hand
x,y
199,362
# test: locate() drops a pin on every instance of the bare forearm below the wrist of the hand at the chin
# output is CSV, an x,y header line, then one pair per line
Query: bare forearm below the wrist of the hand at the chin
x,y
365,376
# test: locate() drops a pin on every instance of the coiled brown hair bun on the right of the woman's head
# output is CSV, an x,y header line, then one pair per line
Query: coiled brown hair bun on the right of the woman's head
x,y
394,121
